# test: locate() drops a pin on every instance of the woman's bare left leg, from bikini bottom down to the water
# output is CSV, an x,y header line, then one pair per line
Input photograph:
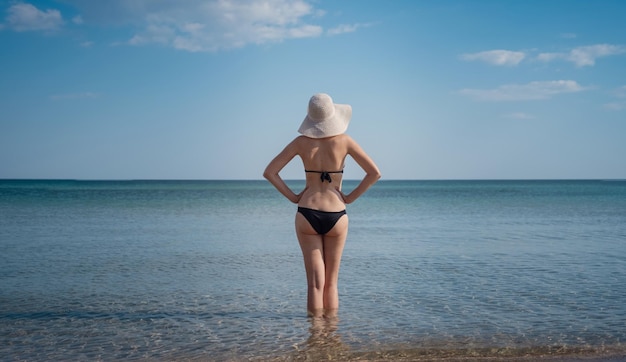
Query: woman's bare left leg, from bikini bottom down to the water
x,y
312,247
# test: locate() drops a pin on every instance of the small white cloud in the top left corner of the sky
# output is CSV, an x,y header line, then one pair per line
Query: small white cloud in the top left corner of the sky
x,y
26,17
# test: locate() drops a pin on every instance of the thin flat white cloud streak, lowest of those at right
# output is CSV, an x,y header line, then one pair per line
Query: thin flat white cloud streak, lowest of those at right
x,y
521,92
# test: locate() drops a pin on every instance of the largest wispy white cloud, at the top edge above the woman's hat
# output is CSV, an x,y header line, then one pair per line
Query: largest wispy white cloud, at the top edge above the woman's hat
x,y
207,25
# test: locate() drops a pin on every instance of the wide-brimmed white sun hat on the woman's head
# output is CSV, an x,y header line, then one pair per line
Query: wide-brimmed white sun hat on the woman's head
x,y
325,118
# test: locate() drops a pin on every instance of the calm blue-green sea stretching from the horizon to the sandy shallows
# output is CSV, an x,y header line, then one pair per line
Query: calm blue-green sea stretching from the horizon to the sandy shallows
x,y
211,271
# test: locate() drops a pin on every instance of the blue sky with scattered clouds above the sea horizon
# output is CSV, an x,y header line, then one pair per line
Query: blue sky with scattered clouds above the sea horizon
x,y
164,89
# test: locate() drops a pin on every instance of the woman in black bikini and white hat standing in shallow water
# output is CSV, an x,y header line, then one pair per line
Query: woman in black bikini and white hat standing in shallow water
x,y
321,220
